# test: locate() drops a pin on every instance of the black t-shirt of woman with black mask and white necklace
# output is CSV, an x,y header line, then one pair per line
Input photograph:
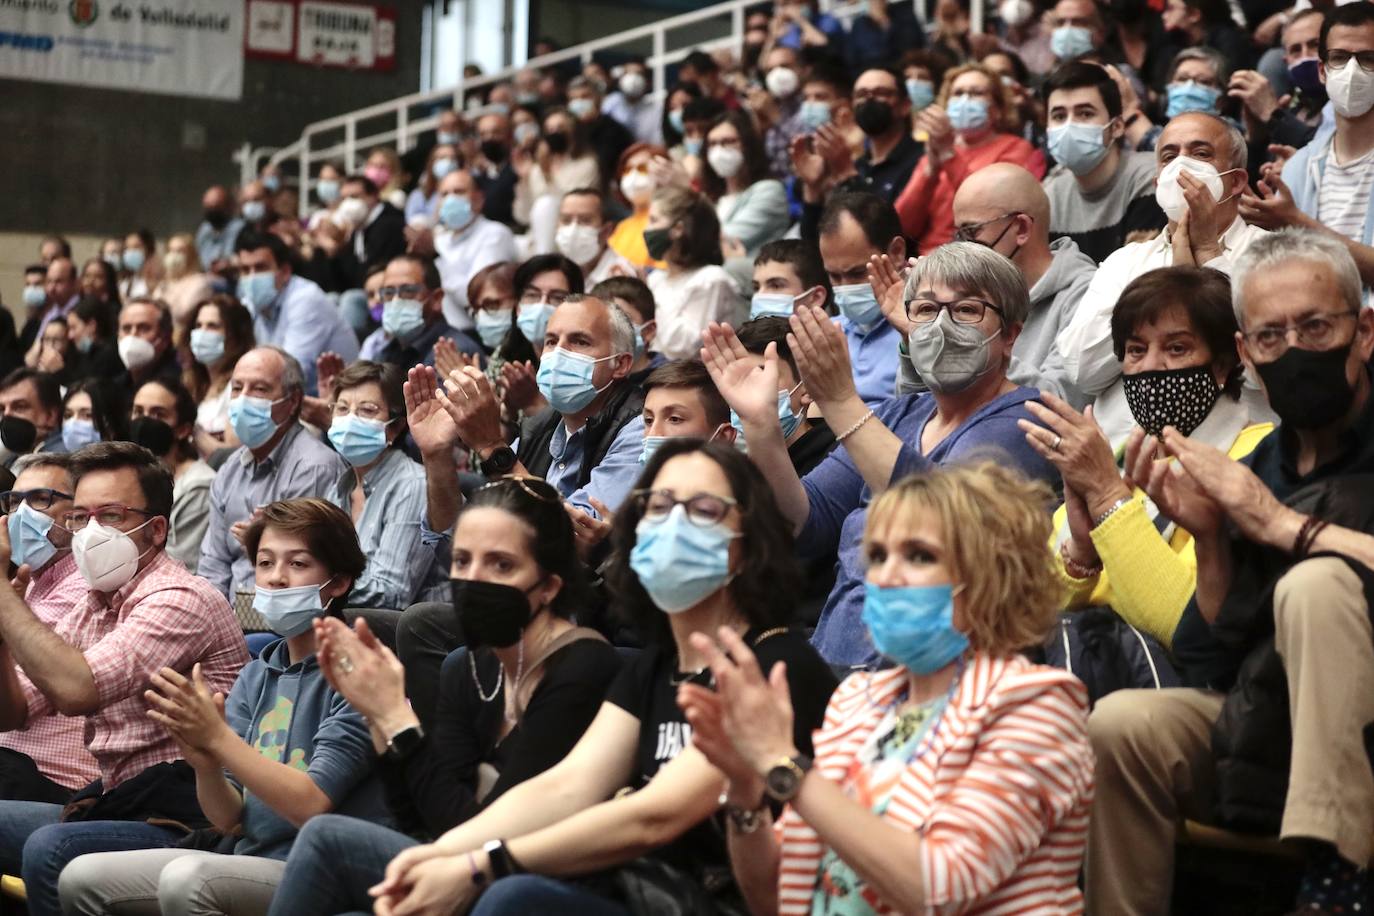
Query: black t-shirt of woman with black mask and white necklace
x,y
435,789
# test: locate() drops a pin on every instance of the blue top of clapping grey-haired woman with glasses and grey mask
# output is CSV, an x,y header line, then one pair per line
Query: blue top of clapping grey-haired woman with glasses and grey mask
x,y
840,502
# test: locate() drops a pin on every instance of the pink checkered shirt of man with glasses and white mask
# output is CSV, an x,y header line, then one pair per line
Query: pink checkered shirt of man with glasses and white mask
x,y
166,617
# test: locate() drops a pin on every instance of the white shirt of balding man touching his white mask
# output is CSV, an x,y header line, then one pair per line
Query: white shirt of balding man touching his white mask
x,y
1086,343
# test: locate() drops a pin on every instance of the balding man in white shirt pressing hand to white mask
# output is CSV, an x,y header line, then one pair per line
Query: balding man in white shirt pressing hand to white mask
x,y
1202,174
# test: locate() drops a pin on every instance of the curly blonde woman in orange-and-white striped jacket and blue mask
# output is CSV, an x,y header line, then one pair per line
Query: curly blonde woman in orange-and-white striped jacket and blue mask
x,y
962,777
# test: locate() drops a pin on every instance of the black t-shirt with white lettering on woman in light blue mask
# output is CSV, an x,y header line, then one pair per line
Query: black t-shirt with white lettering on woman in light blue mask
x,y
648,690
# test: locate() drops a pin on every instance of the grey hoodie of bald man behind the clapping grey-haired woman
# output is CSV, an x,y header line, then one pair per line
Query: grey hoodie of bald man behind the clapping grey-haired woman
x,y
1035,362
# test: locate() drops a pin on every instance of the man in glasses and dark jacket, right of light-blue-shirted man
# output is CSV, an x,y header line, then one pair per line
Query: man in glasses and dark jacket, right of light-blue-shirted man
x,y
413,317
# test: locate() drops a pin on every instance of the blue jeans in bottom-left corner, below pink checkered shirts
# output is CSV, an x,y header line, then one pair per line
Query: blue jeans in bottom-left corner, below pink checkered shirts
x,y
36,847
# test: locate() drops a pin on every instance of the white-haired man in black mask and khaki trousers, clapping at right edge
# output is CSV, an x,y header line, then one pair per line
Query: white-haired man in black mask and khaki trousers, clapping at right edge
x,y
1277,642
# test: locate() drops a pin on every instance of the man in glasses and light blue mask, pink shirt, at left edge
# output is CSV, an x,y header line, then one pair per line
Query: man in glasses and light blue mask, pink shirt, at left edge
x,y
49,762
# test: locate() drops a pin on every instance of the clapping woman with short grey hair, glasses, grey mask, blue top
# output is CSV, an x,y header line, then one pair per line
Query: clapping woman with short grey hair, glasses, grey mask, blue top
x,y
965,306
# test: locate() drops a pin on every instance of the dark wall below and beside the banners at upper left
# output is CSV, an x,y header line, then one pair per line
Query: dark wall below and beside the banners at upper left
x,y
102,163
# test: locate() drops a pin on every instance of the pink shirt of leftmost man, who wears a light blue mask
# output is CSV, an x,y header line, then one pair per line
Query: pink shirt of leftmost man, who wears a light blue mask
x,y
56,744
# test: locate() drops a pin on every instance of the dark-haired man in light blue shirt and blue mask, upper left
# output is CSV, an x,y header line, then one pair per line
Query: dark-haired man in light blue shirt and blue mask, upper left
x,y
289,311
